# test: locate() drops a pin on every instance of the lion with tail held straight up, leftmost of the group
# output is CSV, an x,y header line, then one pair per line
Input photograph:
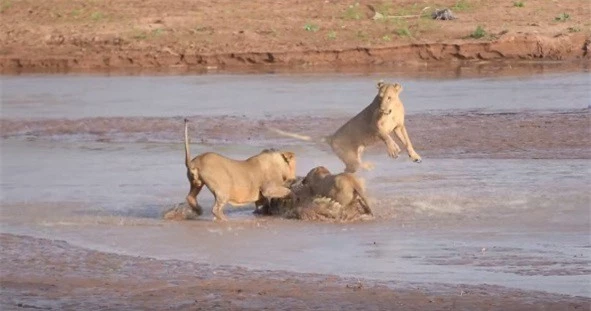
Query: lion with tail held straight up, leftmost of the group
x,y
254,180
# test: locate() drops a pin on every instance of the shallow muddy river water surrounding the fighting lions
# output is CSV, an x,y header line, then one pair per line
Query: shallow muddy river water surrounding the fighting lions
x,y
96,160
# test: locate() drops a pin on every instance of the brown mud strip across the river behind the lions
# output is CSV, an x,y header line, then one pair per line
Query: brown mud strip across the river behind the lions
x,y
519,135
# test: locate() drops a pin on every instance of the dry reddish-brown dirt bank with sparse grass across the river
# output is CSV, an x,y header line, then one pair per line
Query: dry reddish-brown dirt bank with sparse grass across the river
x,y
79,35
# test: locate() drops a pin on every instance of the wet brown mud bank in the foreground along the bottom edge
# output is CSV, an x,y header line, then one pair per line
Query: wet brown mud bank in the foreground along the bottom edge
x,y
64,277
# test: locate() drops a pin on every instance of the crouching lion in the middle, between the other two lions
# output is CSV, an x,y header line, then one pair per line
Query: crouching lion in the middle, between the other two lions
x,y
344,188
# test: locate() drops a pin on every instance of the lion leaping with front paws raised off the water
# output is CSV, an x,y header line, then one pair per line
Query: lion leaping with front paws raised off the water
x,y
374,123
